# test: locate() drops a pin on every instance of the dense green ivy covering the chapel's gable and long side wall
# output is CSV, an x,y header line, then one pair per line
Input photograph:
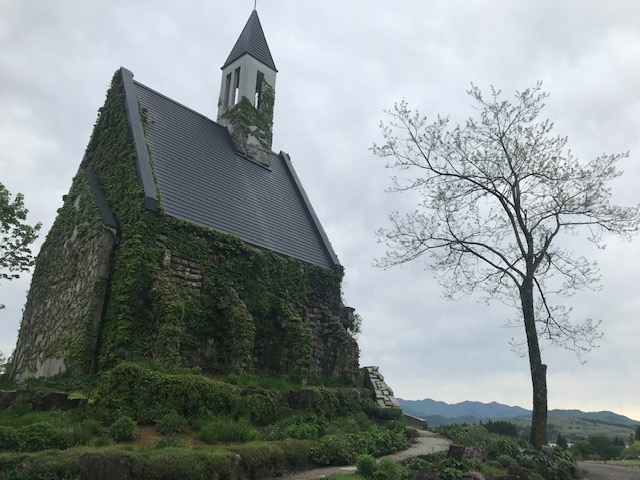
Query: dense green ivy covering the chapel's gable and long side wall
x,y
185,295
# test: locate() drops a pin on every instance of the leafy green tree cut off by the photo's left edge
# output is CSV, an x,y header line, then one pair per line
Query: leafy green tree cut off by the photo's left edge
x,y
16,236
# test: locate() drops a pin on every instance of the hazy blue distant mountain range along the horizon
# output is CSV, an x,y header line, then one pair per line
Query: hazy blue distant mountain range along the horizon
x,y
441,413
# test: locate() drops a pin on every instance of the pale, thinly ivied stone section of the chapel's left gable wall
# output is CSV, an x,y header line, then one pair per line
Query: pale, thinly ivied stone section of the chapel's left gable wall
x,y
61,318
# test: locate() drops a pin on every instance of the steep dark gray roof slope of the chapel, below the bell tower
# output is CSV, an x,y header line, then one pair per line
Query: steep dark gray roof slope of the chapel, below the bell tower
x,y
201,179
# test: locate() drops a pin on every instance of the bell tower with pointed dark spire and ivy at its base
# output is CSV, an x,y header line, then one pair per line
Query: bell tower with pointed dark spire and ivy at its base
x,y
247,93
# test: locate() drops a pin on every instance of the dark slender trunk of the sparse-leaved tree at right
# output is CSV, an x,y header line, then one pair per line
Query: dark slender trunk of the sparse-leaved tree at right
x,y
538,369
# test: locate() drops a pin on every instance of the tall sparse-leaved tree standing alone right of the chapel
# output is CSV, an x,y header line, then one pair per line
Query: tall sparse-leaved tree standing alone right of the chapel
x,y
496,195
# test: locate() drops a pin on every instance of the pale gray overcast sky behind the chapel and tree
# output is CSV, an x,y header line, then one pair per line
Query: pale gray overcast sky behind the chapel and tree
x,y
340,65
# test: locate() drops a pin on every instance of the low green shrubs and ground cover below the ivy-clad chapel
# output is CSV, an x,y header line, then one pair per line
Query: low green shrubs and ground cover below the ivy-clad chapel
x,y
267,443
